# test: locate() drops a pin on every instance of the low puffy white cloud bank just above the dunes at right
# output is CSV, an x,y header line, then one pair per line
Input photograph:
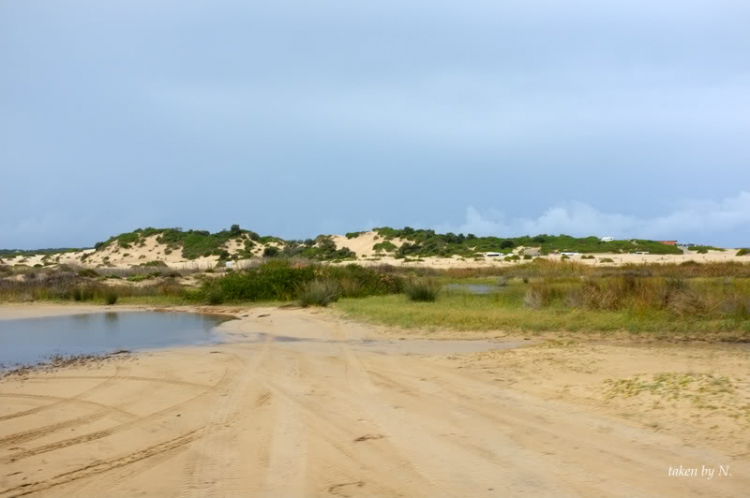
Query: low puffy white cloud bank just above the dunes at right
x,y
702,221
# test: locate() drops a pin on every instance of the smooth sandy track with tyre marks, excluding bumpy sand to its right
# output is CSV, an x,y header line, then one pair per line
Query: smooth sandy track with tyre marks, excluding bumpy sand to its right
x,y
298,411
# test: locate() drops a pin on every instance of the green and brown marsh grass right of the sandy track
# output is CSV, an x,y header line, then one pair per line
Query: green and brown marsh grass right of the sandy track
x,y
657,306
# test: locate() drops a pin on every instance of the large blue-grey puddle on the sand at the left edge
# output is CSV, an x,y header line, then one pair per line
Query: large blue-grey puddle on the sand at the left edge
x,y
31,340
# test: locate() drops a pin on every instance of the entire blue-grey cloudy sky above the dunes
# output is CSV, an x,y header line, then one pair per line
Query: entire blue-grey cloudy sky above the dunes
x,y
624,119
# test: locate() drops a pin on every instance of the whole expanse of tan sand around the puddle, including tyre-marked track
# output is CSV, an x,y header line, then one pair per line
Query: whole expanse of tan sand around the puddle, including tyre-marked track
x,y
302,403
